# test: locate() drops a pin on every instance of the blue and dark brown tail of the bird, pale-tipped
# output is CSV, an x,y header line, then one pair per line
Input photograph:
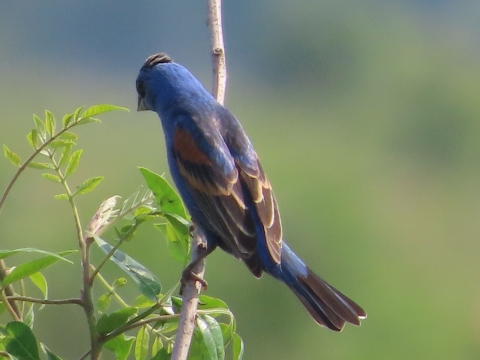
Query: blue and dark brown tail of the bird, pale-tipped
x,y
328,306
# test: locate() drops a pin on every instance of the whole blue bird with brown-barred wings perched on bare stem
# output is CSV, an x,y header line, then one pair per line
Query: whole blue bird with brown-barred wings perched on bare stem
x,y
224,187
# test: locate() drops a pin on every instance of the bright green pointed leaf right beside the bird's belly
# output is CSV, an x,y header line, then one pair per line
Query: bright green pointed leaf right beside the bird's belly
x,y
167,198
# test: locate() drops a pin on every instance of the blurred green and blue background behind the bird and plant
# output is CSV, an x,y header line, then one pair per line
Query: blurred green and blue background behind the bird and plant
x,y
364,113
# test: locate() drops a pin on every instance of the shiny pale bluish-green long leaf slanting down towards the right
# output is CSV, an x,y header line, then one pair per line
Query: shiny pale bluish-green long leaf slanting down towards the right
x,y
147,282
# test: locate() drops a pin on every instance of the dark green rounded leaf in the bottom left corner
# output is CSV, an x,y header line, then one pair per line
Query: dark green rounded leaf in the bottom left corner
x,y
20,341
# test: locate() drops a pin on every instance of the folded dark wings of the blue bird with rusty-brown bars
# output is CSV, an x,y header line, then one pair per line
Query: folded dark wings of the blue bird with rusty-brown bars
x,y
222,185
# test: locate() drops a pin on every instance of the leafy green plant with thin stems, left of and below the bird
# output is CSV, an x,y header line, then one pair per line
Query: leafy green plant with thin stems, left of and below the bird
x,y
145,328
